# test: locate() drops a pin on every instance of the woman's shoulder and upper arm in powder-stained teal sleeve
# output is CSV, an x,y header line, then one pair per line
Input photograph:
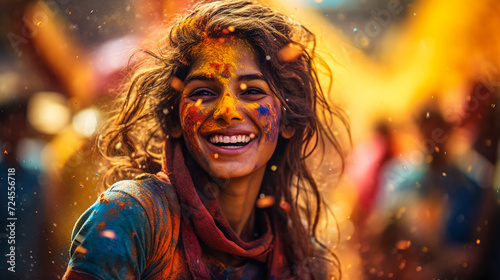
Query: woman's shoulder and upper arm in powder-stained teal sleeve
x,y
127,217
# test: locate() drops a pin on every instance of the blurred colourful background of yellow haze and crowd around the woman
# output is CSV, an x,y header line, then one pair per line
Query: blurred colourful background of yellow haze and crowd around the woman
x,y
420,81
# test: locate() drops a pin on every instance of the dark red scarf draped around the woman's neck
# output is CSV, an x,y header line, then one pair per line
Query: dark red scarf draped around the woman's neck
x,y
205,221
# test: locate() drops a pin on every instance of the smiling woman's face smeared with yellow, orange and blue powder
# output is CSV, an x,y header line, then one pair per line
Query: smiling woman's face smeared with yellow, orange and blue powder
x,y
229,116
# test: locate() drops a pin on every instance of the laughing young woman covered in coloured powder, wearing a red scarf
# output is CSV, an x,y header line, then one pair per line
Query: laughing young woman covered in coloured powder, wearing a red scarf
x,y
219,117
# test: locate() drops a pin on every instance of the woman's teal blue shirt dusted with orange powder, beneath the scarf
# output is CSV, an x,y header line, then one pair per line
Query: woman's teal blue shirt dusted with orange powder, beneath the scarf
x,y
133,232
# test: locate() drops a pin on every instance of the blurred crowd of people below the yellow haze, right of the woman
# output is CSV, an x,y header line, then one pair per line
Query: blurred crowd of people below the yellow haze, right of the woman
x,y
428,200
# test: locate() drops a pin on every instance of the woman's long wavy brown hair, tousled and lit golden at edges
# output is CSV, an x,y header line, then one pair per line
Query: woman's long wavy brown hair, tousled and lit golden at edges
x,y
148,108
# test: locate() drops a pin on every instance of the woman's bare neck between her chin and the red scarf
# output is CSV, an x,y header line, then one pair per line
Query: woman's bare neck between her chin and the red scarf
x,y
237,202
